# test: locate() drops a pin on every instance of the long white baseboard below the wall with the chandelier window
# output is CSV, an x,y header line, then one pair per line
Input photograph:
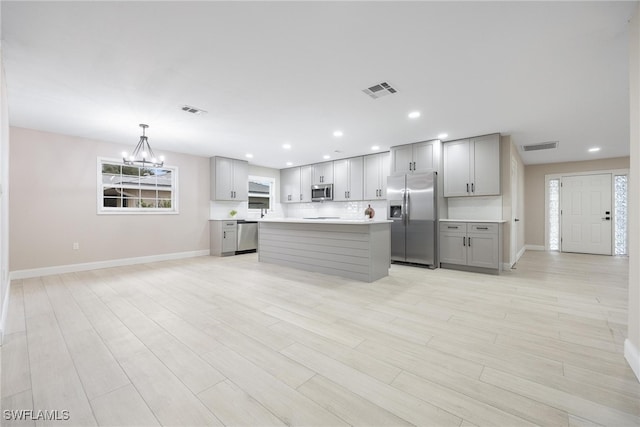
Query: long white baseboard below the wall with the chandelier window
x,y
70,268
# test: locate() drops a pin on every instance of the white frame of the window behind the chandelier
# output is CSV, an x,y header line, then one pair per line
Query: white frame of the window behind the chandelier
x,y
102,210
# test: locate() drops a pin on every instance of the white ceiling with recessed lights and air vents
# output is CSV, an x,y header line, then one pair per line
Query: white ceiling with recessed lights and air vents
x,y
270,73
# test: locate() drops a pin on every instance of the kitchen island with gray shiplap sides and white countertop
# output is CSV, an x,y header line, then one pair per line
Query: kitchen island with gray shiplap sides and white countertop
x,y
356,249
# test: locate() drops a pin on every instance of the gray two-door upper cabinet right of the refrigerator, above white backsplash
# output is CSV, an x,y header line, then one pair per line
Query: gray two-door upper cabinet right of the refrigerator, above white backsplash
x,y
472,167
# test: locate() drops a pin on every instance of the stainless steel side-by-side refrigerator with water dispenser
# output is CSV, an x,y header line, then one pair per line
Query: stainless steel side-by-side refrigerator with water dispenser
x,y
412,207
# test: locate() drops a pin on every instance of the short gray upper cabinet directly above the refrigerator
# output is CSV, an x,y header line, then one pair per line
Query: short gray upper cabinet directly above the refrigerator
x,y
417,157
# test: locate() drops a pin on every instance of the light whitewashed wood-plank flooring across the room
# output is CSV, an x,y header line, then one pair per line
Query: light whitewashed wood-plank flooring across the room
x,y
230,341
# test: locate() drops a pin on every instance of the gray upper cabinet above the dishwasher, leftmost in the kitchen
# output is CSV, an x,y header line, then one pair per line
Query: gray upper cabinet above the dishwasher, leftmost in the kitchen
x,y
230,179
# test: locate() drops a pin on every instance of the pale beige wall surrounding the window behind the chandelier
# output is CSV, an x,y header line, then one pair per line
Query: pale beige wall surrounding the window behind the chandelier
x,y
53,198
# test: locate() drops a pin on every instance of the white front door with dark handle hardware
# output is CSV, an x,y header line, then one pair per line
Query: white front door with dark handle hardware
x,y
587,214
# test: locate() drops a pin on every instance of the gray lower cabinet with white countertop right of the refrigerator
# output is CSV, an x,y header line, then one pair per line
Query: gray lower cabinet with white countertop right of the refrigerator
x,y
471,245
